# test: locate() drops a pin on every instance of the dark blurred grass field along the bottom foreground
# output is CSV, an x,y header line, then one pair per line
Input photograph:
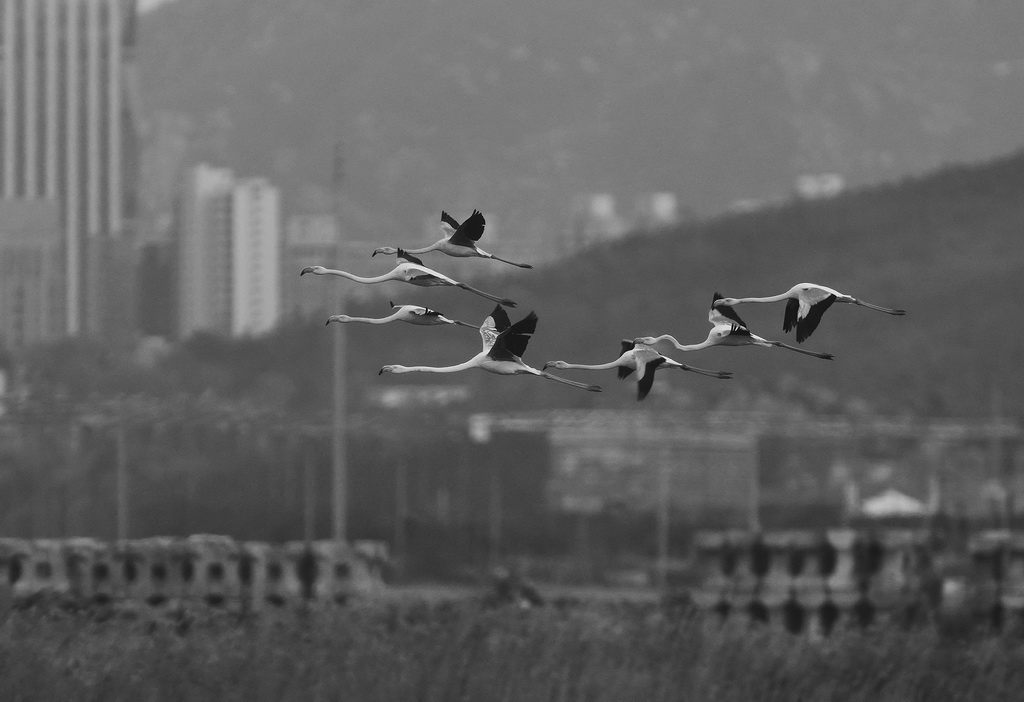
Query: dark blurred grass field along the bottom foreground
x,y
449,650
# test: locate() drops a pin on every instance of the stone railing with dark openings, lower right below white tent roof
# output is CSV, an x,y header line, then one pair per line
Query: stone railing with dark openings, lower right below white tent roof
x,y
815,582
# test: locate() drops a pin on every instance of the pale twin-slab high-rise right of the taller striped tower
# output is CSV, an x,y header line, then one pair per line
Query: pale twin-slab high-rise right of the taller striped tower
x,y
229,253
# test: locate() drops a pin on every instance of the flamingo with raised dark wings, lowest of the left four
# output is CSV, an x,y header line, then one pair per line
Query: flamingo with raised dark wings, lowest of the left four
x,y
504,343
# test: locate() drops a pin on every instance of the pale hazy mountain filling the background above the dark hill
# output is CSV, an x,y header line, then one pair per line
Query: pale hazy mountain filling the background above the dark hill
x,y
518,107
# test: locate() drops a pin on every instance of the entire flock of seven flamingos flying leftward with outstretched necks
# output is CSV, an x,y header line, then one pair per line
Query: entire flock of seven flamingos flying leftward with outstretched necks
x,y
504,343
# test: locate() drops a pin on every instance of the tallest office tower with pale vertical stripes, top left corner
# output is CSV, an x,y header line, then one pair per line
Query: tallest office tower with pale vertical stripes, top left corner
x,y
68,136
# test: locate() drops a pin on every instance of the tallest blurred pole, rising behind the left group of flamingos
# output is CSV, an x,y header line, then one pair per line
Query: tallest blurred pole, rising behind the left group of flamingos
x,y
339,512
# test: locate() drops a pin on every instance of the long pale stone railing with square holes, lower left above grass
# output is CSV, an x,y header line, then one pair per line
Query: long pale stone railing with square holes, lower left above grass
x,y
204,569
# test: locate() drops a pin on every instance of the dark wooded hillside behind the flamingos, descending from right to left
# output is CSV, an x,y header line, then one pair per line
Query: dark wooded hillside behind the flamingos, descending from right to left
x,y
947,247
